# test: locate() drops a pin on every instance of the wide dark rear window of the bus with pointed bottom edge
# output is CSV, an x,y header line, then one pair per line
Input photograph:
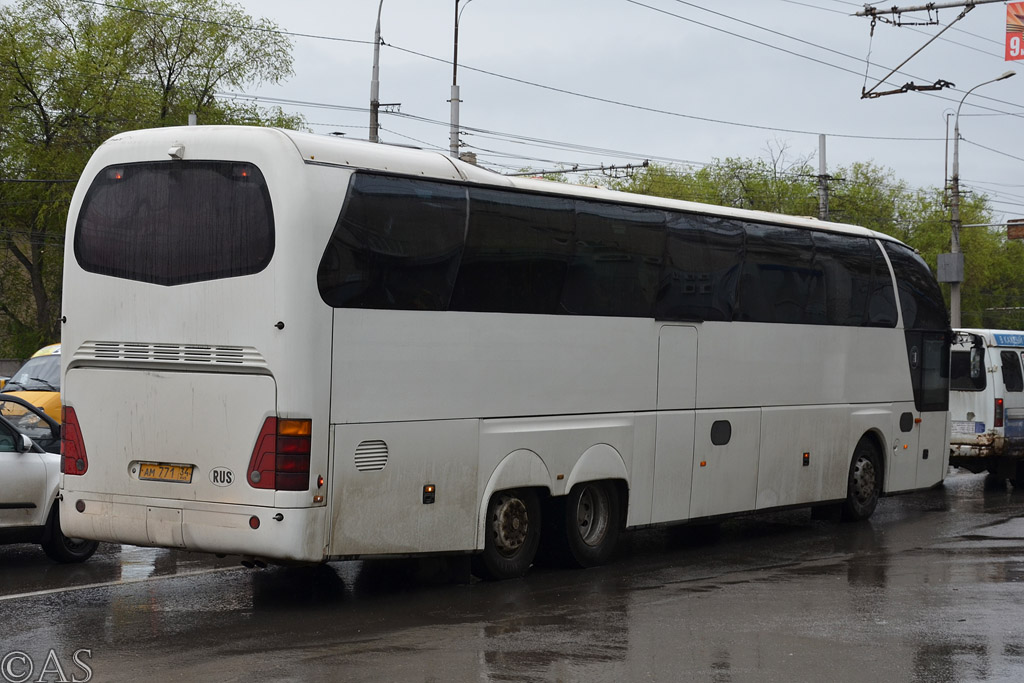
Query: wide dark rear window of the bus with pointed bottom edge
x,y
176,223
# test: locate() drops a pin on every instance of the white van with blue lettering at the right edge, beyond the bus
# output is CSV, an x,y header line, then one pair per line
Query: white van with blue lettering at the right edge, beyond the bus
x,y
987,403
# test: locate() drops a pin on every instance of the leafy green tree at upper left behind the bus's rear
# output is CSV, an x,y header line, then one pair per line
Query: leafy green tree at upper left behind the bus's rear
x,y
74,73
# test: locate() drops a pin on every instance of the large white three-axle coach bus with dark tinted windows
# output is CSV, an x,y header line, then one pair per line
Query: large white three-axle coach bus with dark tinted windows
x,y
296,349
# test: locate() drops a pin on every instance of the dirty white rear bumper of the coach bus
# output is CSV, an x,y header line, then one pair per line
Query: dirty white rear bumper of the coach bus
x,y
275,535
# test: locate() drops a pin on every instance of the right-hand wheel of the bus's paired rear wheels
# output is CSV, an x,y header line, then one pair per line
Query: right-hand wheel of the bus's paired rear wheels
x,y
591,524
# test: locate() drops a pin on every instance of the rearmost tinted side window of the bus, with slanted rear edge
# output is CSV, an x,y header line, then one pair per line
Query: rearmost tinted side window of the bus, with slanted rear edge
x,y
397,245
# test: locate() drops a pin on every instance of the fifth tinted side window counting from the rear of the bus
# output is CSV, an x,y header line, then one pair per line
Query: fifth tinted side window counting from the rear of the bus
x,y
781,282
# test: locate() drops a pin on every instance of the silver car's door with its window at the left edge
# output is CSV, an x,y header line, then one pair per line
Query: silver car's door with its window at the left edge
x,y
23,482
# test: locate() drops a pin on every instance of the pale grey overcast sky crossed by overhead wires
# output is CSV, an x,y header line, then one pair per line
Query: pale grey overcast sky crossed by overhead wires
x,y
613,82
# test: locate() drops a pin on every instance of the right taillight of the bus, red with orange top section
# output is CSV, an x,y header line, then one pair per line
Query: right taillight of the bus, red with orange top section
x,y
281,457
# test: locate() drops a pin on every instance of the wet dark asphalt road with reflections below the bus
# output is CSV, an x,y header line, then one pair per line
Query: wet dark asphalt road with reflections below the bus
x,y
931,589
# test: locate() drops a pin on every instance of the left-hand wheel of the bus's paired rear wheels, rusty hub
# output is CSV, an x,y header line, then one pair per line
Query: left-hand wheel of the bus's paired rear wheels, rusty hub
x,y
513,536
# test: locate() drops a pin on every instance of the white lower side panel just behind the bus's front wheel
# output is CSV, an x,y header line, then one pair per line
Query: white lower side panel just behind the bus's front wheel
x,y
786,477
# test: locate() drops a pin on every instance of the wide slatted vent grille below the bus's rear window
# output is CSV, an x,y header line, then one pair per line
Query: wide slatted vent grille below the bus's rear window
x,y
105,353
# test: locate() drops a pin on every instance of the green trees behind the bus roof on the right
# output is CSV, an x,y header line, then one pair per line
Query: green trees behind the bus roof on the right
x,y
863,194
